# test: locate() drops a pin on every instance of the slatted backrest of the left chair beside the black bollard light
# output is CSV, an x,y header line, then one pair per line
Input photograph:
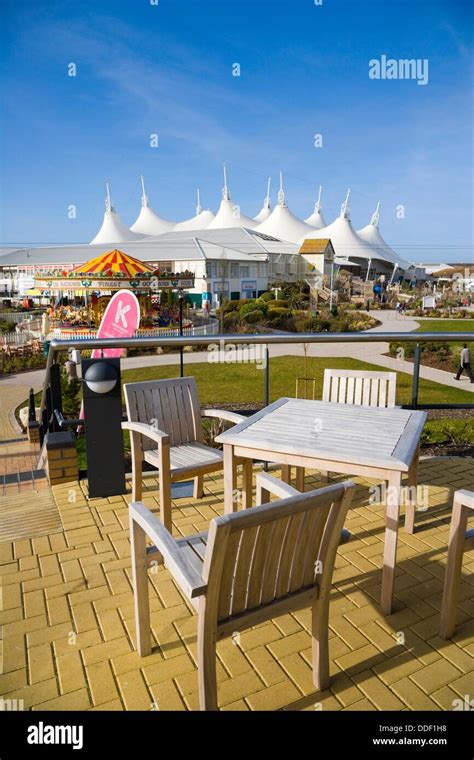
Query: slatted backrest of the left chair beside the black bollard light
x,y
170,405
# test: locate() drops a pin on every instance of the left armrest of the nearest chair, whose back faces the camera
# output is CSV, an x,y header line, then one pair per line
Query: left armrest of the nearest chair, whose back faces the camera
x,y
185,575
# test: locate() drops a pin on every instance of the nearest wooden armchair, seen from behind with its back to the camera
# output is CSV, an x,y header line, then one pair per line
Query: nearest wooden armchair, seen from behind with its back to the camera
x,y
251,566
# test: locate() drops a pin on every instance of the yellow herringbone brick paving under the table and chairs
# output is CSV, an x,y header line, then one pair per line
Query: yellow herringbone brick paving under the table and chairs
x,y
68,631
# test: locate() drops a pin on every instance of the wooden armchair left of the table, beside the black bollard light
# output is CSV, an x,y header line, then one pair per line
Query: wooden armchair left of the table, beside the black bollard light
x,y
164,420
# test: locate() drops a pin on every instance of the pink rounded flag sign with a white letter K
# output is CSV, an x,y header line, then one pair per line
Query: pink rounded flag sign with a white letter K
x,y
121,320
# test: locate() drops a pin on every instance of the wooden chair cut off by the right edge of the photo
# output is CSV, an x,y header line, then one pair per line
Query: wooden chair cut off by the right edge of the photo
x,y
459,541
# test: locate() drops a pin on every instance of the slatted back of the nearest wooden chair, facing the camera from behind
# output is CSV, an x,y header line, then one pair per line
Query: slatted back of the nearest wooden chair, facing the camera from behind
x,y
269,552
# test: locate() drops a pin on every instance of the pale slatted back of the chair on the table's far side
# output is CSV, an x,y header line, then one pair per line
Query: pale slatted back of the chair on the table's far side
x,y
343,386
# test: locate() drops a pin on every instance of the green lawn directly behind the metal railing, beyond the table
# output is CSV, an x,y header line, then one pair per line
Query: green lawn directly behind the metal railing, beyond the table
x,y
244,383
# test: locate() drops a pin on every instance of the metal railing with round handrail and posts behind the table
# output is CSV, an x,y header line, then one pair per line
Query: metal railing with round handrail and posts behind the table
x,y
58,346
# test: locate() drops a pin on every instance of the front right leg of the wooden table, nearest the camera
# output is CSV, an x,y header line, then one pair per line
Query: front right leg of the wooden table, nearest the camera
x,y
392,513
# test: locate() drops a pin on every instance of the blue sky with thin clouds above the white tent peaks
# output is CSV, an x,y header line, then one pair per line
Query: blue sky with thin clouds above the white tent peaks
x,y
167,69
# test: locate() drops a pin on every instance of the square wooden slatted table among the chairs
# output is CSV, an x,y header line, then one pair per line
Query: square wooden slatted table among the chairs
x,y
355,440
